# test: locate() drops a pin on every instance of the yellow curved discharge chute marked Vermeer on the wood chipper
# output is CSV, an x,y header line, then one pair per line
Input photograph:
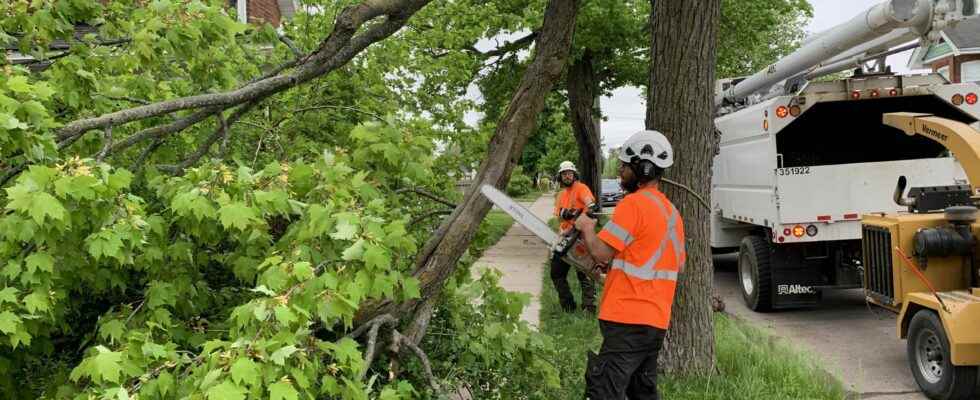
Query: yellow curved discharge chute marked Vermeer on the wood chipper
x,y
957,137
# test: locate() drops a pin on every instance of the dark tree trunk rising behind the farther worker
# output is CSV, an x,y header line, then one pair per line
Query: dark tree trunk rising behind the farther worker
x,y
583,88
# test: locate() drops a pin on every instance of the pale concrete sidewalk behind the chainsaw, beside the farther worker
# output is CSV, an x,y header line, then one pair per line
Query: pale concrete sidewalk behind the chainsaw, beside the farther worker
x,y
520,257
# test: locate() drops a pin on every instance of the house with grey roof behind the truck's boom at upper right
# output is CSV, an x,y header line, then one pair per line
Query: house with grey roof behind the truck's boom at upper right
x,y
956,56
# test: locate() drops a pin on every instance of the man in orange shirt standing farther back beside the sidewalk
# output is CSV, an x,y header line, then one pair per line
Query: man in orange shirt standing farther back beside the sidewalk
x,y
571,201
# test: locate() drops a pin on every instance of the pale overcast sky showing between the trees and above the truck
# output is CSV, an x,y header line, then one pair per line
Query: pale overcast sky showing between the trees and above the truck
x,y
625,109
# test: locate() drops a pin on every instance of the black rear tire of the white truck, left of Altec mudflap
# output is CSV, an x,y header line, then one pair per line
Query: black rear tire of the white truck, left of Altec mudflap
x,y
755,273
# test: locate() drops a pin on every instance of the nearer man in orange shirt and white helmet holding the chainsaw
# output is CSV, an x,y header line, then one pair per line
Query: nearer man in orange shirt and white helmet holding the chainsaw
x,y
643,245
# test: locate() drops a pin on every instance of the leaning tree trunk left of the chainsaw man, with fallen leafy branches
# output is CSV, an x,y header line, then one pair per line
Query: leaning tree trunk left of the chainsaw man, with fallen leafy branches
x,y
440,255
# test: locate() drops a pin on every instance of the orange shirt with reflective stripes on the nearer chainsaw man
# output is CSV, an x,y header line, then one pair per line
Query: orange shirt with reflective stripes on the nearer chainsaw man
x,y
648,235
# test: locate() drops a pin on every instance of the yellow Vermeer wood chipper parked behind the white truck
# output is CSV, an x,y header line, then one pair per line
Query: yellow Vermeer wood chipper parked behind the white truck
x,y
923,264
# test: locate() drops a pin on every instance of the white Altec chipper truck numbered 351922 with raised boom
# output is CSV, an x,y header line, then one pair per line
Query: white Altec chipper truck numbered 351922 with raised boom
x,y
799,164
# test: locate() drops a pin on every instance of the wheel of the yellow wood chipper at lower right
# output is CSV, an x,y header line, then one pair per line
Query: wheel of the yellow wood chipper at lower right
x,y
929,359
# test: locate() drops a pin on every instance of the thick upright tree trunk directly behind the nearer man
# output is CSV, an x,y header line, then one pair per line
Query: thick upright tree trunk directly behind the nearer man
x,y
680,104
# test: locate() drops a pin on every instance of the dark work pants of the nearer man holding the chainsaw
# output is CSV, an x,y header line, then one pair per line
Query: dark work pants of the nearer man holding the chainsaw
x,y
626,366
